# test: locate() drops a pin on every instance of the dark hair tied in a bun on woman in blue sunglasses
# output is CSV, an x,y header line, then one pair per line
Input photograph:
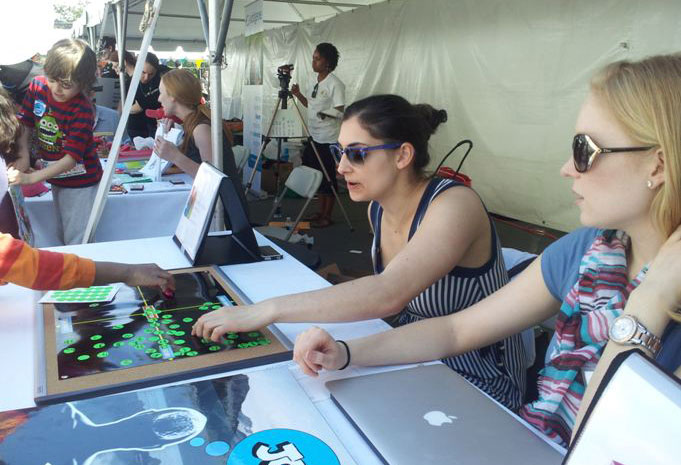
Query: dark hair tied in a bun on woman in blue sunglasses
x,y
392,118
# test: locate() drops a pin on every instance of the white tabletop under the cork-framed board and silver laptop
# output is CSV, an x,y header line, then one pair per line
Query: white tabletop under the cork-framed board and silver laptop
x,y
17,320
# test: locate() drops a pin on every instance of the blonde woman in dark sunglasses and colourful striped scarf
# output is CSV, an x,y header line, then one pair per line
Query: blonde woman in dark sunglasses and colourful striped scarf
x,y
617,279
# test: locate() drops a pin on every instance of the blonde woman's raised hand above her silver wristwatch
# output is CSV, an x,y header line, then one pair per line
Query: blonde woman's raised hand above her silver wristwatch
x,y
662,279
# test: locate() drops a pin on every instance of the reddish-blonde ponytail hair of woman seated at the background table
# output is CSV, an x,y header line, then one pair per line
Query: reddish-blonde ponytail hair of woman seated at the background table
x,y
184,87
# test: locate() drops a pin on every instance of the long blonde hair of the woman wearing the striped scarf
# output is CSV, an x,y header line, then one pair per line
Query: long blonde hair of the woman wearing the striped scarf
x,y
645,97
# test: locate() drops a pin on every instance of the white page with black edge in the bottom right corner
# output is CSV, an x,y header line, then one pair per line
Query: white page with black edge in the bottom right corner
x,y
635,417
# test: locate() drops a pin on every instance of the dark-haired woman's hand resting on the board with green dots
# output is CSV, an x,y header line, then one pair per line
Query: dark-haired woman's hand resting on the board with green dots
x,y
215,324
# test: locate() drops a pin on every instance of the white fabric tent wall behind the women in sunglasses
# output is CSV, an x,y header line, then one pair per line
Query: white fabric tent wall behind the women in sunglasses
x,y
511,75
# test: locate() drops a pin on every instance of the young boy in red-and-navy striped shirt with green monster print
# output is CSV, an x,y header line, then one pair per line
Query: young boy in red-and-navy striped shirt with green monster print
x,y
62,118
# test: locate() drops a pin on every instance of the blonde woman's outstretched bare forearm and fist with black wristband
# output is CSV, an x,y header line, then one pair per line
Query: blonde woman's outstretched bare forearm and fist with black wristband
x,y
518,305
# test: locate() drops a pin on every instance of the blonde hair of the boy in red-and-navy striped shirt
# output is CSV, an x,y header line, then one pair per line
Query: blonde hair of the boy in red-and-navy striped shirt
x,y
74,60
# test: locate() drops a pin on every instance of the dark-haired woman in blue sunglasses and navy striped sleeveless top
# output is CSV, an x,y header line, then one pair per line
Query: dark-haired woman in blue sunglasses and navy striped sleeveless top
x,y
435,249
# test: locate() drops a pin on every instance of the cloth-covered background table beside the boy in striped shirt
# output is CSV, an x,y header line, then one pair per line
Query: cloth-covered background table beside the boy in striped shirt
x,y
125,216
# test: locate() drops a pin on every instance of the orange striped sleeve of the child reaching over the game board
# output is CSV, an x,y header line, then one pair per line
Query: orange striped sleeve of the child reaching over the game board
x,y
42,270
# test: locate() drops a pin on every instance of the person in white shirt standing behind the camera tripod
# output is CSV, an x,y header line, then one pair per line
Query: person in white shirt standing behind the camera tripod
x,y
324,100
